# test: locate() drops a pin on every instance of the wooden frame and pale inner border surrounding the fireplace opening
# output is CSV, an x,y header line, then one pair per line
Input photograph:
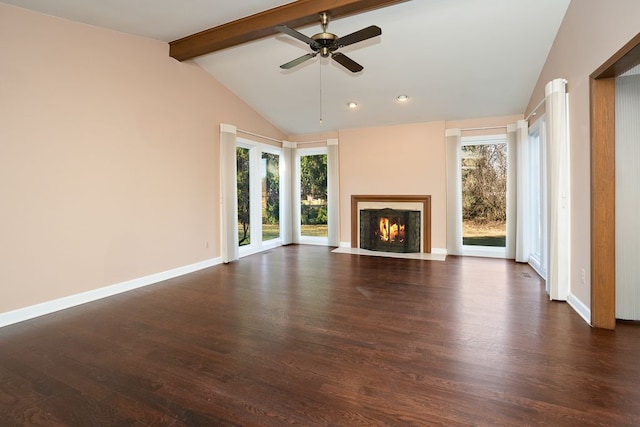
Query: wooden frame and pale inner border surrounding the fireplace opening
x,y
359,202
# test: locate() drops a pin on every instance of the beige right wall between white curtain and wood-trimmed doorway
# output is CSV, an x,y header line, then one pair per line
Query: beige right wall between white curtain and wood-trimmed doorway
x,y
592,31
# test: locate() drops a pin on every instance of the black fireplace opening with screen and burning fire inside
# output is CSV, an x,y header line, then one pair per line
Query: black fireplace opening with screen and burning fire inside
x,y
390,230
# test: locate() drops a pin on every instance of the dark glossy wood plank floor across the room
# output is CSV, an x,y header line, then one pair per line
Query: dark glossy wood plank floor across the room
x,y
299,335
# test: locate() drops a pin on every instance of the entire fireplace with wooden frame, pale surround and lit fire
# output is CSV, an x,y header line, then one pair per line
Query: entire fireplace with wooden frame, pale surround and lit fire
x,y
412,203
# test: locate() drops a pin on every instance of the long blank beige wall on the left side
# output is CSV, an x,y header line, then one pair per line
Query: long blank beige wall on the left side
x,y
108,158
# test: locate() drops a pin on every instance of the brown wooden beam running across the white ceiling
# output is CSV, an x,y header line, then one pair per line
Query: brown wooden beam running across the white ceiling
x,y
296,14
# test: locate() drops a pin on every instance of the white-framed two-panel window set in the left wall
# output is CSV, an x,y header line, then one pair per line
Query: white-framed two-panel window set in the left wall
x,y
258,185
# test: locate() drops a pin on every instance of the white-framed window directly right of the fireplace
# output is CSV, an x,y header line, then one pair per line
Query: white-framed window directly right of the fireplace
x,y
484,195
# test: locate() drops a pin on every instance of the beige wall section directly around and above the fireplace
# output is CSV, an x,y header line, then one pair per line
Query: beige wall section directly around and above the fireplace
x,y
406,159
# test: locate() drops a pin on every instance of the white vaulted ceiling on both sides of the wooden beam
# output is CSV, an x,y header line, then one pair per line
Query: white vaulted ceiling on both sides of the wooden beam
x,y
455,59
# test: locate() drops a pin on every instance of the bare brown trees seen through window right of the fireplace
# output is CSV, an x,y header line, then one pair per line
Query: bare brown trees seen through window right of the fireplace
x,y
484,183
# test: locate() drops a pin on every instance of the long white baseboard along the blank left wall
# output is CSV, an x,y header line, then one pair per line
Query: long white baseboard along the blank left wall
x,y
52,306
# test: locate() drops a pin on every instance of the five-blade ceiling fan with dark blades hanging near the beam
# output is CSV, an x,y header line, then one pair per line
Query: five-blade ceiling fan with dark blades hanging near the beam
x,y
326,44
